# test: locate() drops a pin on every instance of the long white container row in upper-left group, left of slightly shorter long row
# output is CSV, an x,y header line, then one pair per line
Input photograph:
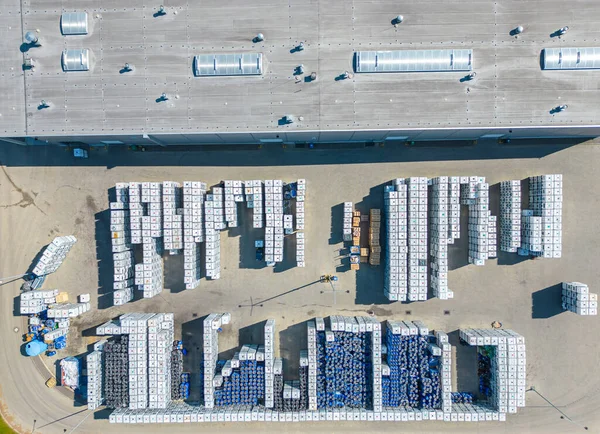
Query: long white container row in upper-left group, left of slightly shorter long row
x,y
193,231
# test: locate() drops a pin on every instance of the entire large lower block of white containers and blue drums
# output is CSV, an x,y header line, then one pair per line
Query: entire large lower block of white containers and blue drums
x,y
354,368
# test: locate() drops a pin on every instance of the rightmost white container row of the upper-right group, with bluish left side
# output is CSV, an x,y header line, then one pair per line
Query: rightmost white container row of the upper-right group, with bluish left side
x,y
545,200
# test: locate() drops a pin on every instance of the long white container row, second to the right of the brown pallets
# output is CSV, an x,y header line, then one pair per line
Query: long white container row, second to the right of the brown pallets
x,y
417,237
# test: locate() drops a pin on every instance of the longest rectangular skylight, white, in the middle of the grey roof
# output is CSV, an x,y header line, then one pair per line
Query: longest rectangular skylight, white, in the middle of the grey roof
x,y
413,61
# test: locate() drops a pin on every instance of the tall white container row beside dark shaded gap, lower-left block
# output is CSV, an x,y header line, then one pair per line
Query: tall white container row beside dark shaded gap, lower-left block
x,y
160,341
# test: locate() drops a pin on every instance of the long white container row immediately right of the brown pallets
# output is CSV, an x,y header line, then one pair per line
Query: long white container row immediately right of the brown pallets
x,y
396,260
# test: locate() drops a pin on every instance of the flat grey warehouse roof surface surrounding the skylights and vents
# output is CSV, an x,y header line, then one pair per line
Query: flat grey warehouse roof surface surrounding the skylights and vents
x,y
511,88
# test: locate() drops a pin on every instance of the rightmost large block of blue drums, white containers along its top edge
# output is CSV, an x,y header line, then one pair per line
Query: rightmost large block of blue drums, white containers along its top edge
x,y
414,378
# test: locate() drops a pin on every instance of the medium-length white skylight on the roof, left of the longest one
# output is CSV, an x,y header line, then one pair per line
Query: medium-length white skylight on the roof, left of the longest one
x,y
228,64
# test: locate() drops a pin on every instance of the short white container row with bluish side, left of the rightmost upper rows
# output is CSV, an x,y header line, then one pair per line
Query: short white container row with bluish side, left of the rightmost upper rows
x,y
510,216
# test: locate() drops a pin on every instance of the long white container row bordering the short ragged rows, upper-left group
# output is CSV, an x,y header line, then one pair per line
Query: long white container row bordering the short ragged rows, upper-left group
x,y
213,222
